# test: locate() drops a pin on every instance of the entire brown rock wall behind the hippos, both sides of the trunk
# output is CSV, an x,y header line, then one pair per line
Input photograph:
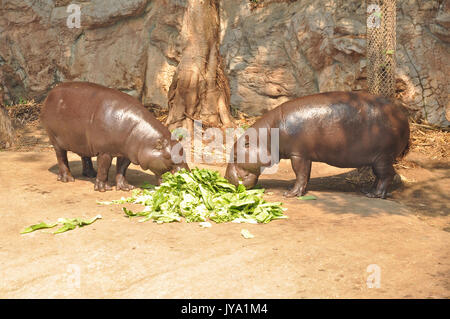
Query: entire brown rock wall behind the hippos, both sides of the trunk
x,y
273,52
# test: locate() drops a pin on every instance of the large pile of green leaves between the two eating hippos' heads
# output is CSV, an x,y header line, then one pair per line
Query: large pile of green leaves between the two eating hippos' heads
x,y
199,195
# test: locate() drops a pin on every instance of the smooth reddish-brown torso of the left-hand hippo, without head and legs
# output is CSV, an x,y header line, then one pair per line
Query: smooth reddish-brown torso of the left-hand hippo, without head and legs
x,y
89,119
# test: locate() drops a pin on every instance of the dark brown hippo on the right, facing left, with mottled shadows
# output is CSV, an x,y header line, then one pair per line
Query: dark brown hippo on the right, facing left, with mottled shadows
x,y
343,129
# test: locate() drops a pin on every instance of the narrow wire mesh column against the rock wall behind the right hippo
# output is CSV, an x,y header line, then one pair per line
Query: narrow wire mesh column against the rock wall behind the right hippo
x,y
381,46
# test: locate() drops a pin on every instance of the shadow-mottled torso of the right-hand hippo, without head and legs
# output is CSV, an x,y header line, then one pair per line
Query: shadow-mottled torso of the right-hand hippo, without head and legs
x,y
344,129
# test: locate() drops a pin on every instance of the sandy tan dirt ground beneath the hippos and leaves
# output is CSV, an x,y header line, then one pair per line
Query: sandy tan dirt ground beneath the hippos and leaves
x,y
327,248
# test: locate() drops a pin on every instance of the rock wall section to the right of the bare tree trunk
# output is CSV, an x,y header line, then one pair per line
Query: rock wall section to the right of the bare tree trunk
x,y
284,50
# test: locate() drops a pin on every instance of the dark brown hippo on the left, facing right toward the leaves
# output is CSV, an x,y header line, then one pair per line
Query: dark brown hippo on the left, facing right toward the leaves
x,y
92,120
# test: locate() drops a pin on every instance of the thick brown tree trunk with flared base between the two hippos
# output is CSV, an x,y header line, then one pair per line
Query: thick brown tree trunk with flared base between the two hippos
x,y
199,88
